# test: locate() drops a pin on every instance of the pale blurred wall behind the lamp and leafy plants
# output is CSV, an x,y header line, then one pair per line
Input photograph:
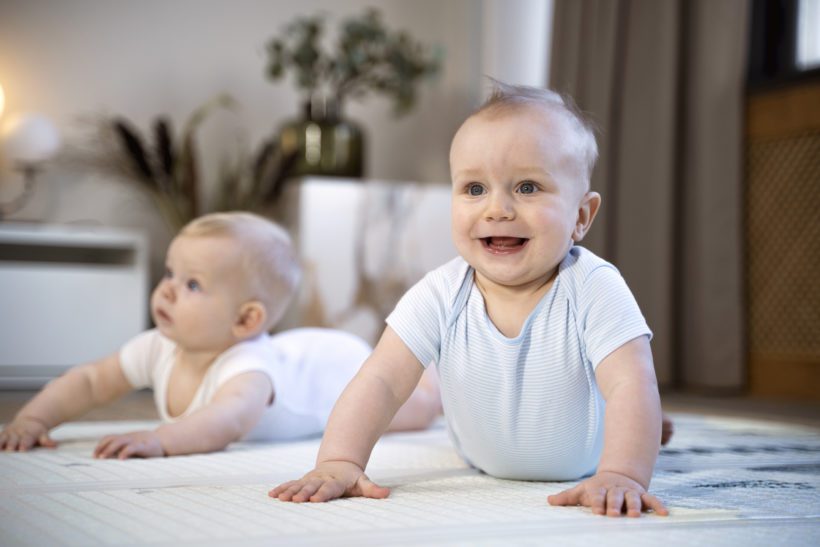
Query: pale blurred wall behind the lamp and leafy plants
x,y
143,58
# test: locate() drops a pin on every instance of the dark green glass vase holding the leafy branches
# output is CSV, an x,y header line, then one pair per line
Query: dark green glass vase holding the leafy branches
x,y
324,141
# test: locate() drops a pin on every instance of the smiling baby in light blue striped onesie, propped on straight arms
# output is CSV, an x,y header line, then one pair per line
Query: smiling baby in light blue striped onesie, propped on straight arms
x,y
542,352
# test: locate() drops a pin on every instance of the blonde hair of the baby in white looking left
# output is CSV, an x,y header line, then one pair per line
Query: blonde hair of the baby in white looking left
x,y
268,260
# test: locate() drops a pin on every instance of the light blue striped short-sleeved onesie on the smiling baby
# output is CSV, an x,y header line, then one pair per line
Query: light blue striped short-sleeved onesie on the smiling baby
x,y
528,407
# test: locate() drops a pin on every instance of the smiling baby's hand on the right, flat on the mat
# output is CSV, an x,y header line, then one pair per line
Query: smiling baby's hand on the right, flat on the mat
x,y
608,493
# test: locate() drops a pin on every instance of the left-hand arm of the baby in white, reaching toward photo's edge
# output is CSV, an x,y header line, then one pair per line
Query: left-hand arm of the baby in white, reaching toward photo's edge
x,y
80,389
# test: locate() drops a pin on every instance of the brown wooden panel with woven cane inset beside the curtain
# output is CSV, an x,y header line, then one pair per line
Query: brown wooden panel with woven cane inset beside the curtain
x,y
783,242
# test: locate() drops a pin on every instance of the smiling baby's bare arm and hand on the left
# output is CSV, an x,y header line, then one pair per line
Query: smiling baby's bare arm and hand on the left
x,y
360,416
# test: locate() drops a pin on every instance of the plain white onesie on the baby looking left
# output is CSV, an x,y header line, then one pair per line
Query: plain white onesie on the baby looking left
x,y
308,367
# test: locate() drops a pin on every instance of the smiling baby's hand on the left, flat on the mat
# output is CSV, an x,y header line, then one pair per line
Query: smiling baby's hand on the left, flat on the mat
x,y
330,480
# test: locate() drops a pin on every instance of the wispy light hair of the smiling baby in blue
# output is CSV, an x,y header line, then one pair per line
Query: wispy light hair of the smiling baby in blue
x,y
512,97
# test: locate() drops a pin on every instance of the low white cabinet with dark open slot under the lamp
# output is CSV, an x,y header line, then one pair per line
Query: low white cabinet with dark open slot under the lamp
x,y
68,295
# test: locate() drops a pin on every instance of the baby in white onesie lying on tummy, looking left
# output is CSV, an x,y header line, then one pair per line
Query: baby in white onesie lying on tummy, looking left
x,y
217,375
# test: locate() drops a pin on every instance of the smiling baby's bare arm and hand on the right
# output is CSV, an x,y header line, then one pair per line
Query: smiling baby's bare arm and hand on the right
x,y
632,435
